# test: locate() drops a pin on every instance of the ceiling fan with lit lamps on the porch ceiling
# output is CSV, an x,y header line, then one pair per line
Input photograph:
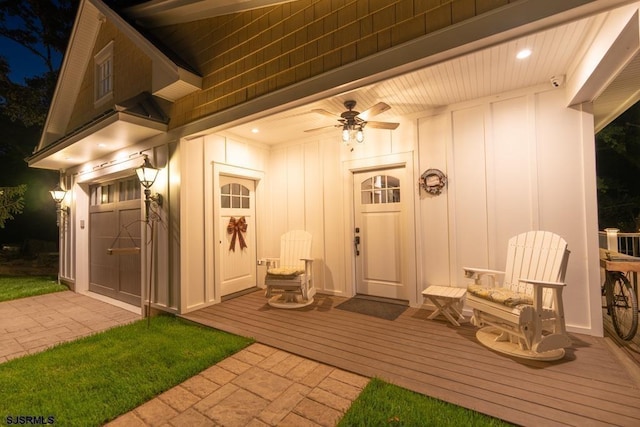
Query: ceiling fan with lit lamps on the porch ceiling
x,y
353,122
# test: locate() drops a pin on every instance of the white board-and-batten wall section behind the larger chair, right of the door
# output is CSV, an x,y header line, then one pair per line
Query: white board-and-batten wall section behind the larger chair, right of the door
x,y
514,164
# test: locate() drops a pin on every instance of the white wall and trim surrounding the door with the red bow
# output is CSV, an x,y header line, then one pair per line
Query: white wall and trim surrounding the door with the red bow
x,y
198,233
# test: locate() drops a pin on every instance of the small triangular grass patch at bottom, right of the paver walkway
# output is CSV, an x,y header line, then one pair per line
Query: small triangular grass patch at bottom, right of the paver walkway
x,y
384,404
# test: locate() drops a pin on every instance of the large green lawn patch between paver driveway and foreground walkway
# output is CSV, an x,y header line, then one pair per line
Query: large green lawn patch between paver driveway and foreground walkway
x,y
93,380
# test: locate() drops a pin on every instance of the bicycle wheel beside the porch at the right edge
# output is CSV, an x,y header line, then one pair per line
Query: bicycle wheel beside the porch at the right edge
x,y
621,303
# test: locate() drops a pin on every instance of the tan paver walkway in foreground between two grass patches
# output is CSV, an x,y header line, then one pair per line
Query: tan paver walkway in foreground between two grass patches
x,y
258,386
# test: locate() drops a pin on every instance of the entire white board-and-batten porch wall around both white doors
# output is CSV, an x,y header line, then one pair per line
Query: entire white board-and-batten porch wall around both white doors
x,y
514,164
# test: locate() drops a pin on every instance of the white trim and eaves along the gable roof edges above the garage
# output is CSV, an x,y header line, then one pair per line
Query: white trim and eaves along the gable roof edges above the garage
x,y
171,78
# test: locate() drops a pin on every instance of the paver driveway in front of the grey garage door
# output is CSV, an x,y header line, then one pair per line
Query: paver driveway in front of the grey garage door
x,y
30,325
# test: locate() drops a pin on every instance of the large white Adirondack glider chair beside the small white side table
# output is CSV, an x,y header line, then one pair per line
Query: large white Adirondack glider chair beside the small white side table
x,y
524,315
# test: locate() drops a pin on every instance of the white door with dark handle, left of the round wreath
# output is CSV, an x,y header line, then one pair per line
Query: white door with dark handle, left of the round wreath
x,y
382,232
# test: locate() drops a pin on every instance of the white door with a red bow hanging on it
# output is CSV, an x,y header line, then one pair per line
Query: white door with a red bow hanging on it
x,y
237,231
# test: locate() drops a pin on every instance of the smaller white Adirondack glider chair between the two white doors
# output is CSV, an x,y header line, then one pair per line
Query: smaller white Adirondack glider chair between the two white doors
x,y
288,281
